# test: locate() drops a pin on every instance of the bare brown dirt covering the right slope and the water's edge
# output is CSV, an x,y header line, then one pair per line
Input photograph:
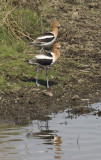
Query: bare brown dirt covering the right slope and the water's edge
x,y
78,81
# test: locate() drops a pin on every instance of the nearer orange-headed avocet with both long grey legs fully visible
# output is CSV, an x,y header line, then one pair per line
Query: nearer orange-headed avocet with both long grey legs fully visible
x,y
46,60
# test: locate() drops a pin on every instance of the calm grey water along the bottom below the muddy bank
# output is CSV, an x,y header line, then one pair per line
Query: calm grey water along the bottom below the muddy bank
x,y
59,138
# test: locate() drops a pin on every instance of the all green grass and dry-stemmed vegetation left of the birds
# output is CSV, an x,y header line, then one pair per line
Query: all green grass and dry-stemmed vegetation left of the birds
x,y
20,23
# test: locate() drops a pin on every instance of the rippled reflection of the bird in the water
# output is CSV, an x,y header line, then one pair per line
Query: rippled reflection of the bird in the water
x,y
49,137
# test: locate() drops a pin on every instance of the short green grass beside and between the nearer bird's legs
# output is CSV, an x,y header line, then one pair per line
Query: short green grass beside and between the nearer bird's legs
x,y
15,73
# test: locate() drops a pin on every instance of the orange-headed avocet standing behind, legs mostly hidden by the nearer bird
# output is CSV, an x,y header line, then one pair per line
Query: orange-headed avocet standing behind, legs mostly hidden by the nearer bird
x,y
47,39
